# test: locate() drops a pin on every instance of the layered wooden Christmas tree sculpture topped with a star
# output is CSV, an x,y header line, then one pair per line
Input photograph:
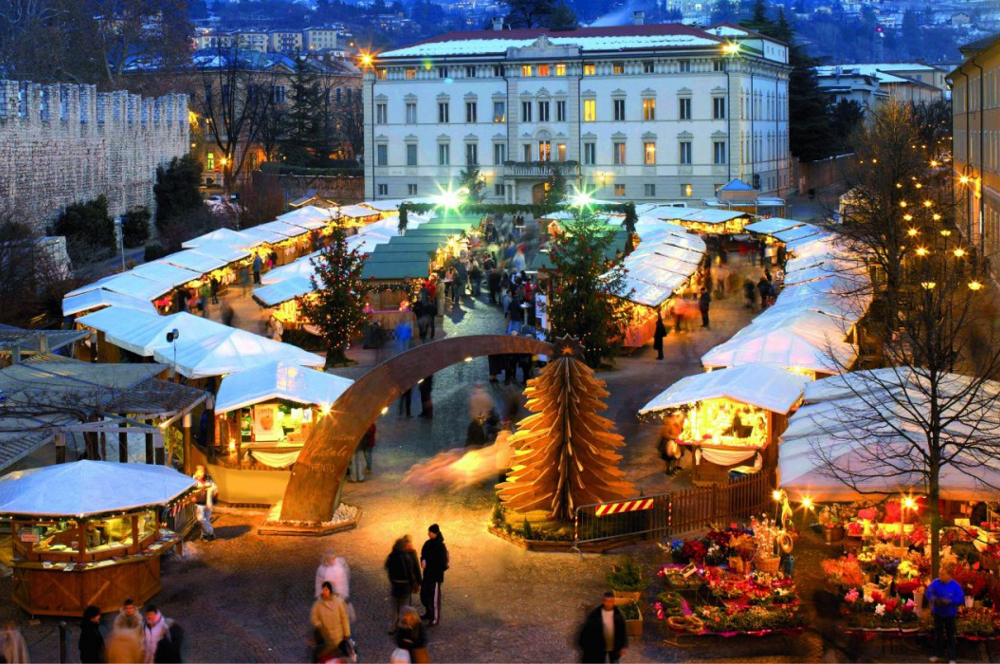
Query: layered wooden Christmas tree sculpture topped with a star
x,y
565,452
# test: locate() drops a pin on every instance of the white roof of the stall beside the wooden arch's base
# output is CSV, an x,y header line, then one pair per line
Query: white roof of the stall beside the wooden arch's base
x,y
277,380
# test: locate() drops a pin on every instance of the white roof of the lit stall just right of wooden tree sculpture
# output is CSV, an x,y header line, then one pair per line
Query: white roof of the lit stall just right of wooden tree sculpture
x,y
766,386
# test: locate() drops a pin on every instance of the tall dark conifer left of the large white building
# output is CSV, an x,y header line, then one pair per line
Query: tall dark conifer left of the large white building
x,y
306,137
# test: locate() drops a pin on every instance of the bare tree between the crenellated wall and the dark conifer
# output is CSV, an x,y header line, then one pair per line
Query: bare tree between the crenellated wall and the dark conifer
x,y
237,97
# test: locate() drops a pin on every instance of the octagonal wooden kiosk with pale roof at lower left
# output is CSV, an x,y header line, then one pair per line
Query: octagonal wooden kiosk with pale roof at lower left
x,y
90,533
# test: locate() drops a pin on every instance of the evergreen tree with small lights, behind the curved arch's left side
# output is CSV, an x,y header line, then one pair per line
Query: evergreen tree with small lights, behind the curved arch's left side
x,y
336,305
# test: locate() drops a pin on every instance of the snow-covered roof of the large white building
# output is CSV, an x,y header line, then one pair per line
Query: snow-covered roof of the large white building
x,y
617,38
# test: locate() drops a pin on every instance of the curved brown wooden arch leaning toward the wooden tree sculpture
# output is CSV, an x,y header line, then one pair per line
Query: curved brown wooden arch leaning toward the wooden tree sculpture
x,y
311,495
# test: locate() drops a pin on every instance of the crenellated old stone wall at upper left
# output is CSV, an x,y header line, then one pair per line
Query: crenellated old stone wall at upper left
x,y
62,144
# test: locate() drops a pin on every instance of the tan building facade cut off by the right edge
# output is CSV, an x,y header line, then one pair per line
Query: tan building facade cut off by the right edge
x,y
976,145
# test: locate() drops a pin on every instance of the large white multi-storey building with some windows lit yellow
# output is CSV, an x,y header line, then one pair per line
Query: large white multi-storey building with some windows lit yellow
x,y
638,112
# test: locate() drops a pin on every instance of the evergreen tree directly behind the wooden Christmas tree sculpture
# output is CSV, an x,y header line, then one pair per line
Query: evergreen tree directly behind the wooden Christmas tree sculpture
x,y
589,283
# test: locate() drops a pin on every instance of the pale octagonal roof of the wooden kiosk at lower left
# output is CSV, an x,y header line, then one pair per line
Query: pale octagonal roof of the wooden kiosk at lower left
x,y
82,488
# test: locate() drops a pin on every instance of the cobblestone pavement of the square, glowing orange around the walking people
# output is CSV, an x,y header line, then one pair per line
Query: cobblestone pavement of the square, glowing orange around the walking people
x,y
247,598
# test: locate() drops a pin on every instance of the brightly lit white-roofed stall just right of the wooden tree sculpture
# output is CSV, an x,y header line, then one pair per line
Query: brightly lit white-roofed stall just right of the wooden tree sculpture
x,y
731,418
